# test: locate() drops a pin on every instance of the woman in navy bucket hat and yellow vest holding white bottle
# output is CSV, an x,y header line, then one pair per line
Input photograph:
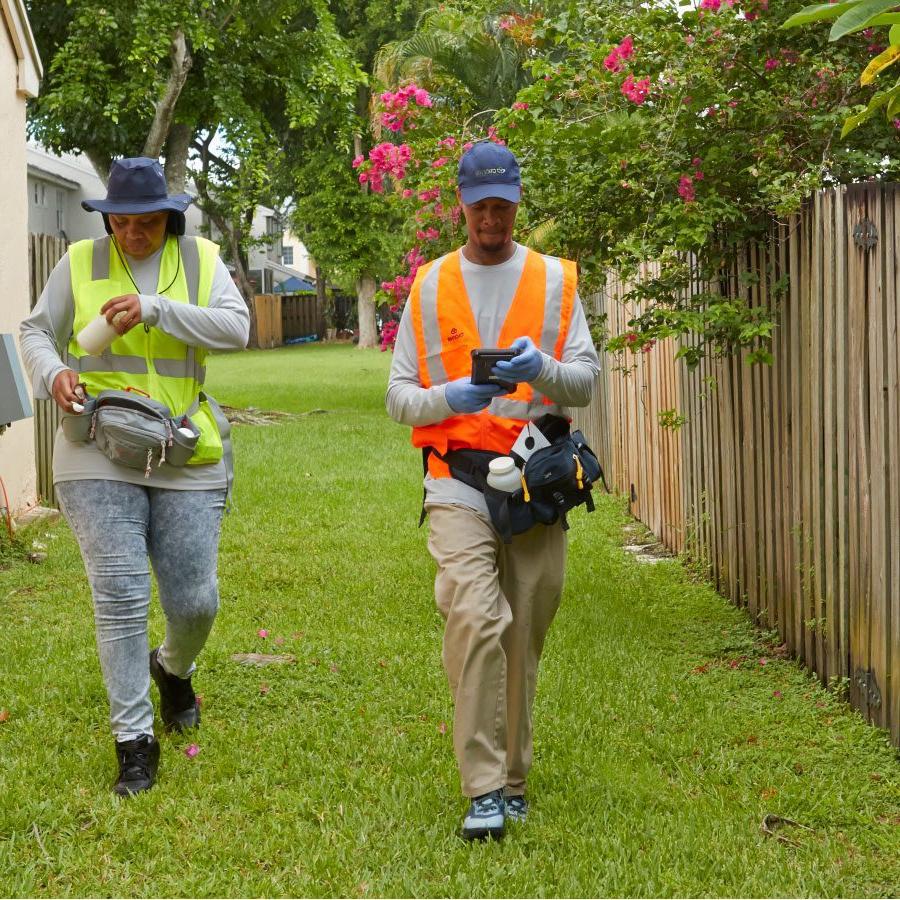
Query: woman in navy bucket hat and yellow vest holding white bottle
x,y
170,300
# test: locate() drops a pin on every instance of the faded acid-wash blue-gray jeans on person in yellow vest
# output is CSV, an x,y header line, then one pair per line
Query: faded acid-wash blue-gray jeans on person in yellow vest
x,y
118,527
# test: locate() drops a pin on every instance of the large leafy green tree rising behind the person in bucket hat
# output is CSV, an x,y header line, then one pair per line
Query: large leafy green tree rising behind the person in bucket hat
x,y
232,84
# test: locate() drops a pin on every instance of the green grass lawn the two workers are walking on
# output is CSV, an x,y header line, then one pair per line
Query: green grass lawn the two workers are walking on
x,y
666,727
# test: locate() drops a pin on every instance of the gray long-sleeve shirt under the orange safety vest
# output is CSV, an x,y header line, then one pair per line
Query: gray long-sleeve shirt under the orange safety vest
x,y
568,381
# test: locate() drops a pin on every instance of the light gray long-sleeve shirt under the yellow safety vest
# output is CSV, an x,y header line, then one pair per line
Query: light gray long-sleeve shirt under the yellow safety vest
x,y
45,334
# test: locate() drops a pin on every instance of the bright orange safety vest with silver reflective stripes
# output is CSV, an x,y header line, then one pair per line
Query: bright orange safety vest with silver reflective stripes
x,y
446,333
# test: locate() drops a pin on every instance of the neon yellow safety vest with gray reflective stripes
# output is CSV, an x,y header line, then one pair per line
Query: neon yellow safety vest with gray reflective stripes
x,y
145,358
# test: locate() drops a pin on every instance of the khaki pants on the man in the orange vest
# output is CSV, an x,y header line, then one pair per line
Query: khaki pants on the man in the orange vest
x,y
498,601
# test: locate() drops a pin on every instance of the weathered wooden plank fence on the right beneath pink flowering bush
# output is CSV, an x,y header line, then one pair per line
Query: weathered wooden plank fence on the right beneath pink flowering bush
x,y
785,480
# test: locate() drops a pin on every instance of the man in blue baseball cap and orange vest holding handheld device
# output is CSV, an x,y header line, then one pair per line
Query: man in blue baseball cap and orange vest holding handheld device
x,y
497,599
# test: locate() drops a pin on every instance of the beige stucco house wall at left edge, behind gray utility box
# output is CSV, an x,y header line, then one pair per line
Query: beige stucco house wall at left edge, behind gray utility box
x,y
17,468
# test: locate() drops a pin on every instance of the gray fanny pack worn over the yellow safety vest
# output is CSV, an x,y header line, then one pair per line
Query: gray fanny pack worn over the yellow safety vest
x,y
134,431
